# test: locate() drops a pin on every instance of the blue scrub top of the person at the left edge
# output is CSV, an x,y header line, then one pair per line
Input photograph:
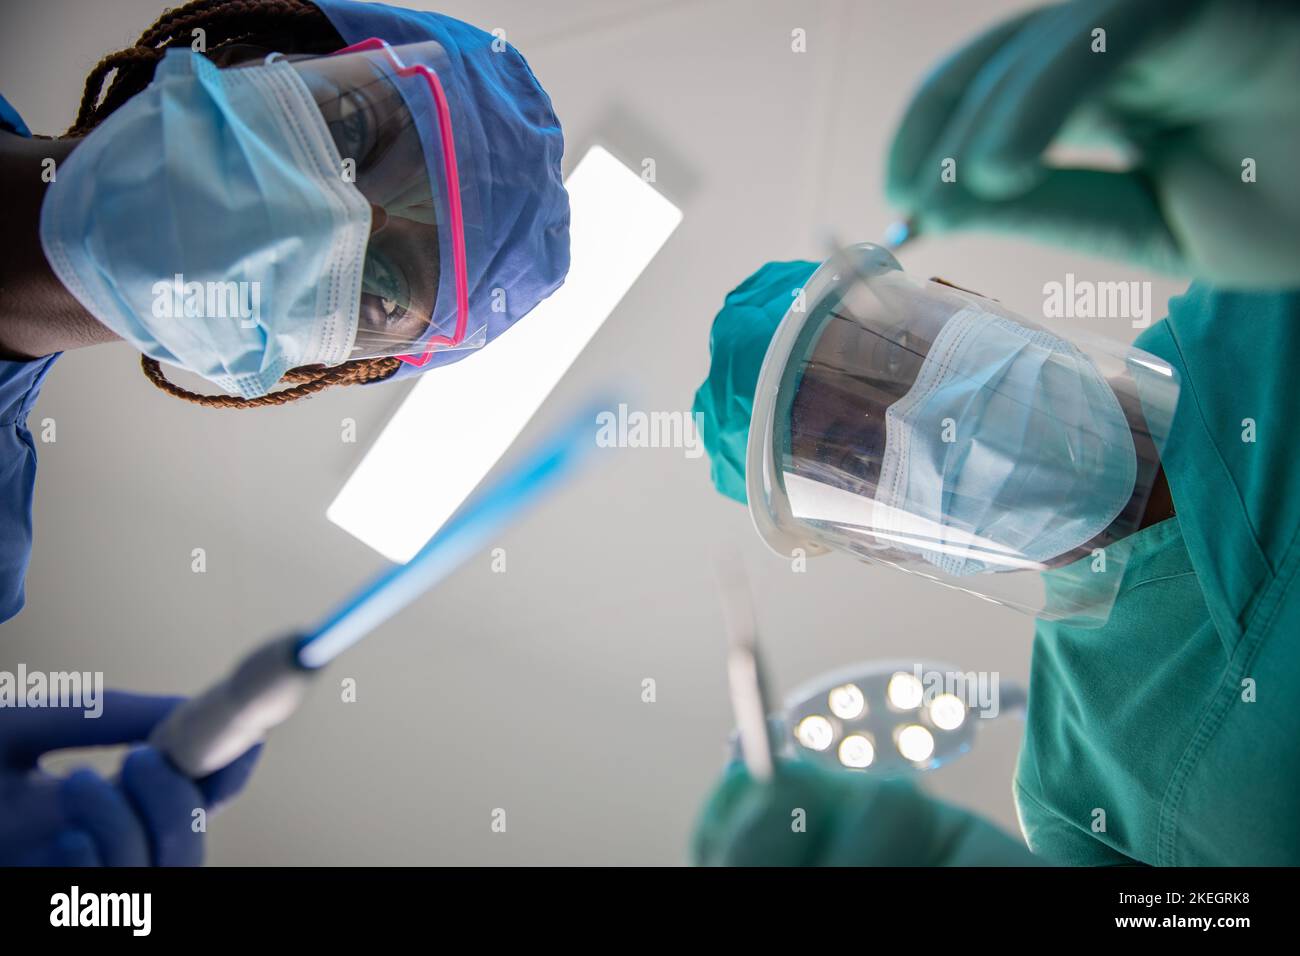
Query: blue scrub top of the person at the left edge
x,y
20,386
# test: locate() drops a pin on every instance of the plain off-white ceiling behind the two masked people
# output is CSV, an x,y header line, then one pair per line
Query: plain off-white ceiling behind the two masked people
x,y
522,691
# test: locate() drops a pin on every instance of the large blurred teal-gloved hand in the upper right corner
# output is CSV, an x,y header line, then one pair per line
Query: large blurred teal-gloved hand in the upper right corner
x,y
1189,89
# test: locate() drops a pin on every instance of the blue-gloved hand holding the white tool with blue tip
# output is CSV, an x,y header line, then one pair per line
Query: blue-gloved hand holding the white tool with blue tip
x,y
141,819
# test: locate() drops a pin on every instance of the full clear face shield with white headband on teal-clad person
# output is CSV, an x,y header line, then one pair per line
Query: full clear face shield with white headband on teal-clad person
x,y
930,430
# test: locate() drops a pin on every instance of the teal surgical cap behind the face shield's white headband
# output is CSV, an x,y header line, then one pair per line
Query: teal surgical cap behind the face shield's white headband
x,y
742,334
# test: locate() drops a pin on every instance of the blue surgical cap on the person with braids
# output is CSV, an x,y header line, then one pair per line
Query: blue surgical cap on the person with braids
x,y
512,131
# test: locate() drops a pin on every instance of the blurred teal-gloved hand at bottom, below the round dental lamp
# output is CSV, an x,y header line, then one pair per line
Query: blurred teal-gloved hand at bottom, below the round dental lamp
x,y
848,820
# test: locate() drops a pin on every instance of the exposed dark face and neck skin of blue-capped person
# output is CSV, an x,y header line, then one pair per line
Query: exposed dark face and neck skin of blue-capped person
x,y
40,317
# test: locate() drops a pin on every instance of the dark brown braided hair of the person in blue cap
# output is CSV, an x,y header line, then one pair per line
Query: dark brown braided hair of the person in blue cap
x,y
291,27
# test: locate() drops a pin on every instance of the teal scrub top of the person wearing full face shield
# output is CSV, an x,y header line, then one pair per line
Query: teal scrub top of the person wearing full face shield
x,y
1168,737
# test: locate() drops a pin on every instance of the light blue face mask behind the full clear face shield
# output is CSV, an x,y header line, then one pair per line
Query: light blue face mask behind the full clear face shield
x,y
1011,449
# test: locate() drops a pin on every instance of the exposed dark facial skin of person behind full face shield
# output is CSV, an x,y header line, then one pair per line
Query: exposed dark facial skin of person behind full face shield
x,y
839,413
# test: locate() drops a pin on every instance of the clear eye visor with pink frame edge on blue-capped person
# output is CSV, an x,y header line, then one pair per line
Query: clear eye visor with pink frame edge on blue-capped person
x,y
393,124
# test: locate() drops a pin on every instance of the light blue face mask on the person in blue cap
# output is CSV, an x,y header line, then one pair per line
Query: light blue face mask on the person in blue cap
x,y
207,223
